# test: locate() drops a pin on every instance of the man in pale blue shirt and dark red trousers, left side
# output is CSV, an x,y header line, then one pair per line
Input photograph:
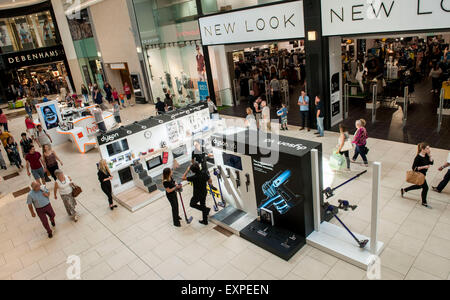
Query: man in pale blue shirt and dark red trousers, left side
x,y
39,198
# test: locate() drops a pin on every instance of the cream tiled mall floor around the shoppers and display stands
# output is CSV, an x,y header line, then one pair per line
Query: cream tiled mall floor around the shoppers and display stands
x,y
144,245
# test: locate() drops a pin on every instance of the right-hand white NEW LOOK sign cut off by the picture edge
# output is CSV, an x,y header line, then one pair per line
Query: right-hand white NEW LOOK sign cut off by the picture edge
x,y
340,17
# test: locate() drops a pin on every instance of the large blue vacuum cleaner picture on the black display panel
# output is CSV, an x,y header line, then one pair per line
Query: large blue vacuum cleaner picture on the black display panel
x,y
278,194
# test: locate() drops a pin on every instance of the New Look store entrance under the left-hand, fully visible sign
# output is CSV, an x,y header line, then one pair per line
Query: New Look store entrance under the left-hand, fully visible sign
x,y
273,71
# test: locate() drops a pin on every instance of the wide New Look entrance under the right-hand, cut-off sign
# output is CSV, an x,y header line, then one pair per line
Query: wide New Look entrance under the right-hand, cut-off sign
x,y
394,82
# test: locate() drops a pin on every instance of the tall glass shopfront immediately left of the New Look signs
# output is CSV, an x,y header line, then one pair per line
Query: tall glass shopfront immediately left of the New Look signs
x,y
171,40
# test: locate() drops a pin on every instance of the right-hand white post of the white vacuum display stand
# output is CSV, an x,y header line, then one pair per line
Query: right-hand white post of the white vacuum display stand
x,y
375,197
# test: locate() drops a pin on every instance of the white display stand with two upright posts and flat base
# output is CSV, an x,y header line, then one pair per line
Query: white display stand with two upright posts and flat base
x,y
335,240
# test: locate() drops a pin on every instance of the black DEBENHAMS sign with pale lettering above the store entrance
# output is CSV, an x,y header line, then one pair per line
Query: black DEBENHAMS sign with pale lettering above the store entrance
x,y
33,57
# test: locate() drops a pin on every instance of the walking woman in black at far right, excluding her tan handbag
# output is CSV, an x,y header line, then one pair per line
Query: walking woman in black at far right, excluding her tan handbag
x,y
422,162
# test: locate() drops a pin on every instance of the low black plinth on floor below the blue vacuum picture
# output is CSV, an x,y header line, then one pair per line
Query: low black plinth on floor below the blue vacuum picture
x,y
277,241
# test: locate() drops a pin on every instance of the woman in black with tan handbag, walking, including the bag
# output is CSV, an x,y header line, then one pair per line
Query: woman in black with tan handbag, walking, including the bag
x,y
422,163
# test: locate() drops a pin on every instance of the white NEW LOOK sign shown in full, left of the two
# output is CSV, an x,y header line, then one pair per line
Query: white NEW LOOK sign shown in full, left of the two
x,y
274,22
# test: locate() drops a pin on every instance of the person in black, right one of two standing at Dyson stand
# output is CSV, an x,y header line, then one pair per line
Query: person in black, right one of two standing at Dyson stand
x,y
199,181
